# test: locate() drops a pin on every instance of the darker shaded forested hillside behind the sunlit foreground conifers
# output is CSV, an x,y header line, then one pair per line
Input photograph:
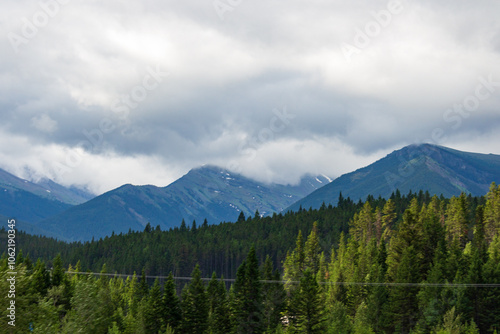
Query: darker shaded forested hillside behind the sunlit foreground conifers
x,y
219,248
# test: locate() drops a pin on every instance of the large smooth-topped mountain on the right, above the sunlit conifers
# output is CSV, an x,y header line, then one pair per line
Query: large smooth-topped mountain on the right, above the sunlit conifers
x,y
433,168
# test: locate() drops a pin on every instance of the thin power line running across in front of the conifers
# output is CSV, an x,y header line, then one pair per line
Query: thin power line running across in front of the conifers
x,y
437,285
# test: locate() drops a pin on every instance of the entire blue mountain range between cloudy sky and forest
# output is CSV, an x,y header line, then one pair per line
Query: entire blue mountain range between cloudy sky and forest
x,y
218,195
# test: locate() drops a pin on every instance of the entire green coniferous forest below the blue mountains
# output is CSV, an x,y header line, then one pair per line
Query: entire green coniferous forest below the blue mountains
x,y
409,264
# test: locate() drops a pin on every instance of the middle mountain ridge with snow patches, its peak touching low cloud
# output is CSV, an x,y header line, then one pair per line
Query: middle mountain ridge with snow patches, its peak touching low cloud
x,y
206,192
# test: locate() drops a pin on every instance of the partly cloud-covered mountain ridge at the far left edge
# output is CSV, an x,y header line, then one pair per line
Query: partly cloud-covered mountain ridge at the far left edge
x,y
32,202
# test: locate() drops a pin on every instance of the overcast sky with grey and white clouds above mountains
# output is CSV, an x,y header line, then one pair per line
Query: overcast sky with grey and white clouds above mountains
x,y
102,93
